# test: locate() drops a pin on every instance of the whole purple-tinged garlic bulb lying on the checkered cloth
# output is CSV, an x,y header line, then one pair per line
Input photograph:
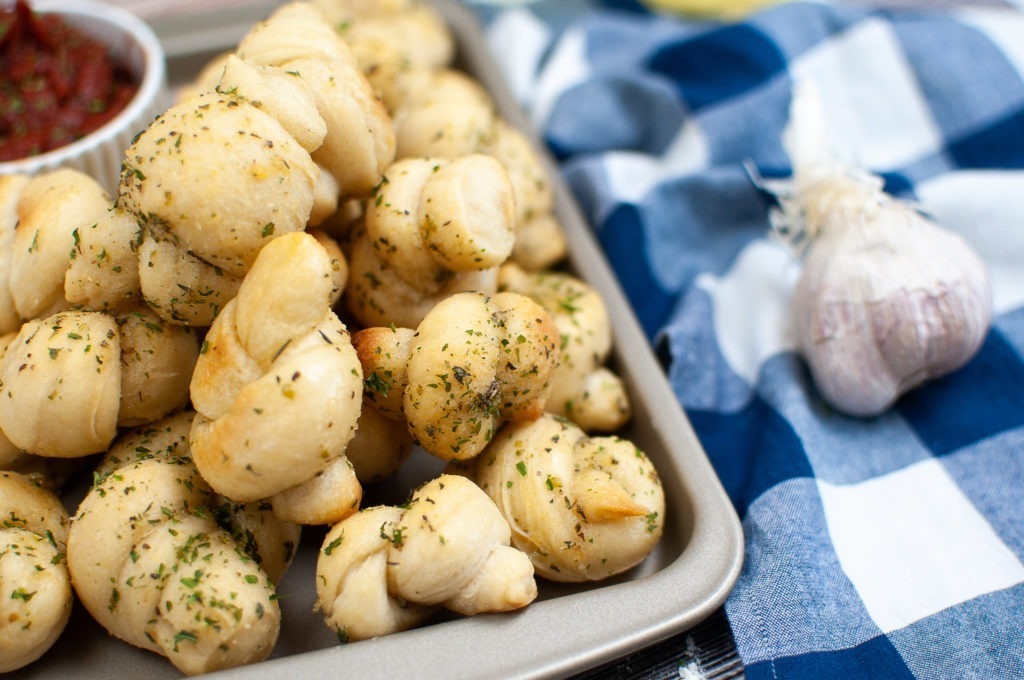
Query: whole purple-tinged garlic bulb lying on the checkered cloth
x,y
887,299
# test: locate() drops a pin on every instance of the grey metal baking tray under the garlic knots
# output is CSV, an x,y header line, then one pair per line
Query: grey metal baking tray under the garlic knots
x,y
569,629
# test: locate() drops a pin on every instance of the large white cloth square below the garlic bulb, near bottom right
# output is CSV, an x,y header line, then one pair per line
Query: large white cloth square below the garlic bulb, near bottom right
x,y
913,544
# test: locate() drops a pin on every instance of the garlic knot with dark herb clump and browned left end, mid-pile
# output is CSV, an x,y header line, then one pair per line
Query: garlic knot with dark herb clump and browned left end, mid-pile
x,y
476,362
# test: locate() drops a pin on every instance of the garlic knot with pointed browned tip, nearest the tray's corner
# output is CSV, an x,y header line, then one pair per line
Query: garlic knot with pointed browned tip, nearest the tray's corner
x,y
583,508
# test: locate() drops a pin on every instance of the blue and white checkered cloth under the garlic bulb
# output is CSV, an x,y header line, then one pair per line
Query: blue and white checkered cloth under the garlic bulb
x,y
887,547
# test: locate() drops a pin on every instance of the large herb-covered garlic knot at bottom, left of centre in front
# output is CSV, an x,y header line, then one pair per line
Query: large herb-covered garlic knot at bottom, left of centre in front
x,y
151,564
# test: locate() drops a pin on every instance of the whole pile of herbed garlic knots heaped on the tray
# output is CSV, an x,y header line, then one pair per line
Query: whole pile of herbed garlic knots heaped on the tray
x,y
331,249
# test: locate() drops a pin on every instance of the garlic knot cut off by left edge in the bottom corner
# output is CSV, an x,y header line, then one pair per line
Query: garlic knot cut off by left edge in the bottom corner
x,y
35,587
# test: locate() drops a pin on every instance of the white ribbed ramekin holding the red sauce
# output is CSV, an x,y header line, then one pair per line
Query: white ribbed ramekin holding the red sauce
x,y
133,45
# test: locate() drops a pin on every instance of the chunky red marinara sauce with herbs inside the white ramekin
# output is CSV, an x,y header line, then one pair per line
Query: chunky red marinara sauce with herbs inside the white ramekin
x,y
57,83
